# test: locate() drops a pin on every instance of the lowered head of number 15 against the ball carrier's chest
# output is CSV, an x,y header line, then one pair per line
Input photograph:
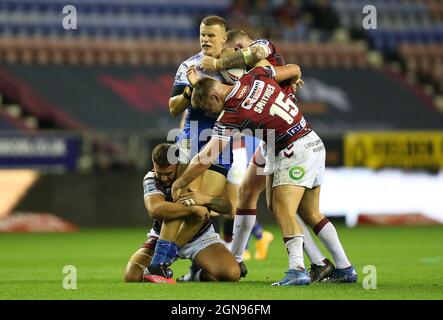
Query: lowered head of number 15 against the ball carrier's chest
x,y
207,95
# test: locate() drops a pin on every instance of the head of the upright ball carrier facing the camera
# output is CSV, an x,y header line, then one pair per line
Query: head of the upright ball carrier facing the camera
x,y
212,35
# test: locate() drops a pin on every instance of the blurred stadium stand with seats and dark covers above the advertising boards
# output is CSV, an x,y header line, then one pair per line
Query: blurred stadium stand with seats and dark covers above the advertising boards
x,y
114,72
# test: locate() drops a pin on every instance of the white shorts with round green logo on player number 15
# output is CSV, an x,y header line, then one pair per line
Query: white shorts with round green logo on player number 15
x,y
301,164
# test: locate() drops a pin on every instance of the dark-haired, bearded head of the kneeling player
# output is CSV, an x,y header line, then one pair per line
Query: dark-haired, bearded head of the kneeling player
x,y
164,158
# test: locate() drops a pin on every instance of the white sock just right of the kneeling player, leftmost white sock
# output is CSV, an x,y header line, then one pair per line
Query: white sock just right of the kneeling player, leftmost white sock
x,y
243,224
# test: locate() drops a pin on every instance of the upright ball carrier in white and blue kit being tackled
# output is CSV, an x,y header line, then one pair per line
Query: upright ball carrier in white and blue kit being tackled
x,y
192,137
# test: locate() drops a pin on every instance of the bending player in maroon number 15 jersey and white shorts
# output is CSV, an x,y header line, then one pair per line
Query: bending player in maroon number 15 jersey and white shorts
x,y
294,175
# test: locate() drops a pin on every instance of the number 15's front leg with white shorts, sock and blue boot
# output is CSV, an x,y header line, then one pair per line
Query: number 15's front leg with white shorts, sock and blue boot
x,y
295,171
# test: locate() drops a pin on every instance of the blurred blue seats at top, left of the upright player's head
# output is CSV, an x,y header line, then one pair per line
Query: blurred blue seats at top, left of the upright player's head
x,y
113,18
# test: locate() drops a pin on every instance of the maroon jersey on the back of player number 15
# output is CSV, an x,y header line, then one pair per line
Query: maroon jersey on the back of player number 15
x,y
258,102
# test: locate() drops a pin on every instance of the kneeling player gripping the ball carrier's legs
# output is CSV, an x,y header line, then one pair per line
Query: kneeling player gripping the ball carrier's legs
x,y
211,259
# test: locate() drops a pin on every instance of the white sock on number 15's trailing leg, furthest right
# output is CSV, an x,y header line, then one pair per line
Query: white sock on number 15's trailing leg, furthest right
x,y
329,237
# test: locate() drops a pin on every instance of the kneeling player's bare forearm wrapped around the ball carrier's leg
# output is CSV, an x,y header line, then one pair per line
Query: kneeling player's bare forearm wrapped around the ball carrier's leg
x,y
161,209
